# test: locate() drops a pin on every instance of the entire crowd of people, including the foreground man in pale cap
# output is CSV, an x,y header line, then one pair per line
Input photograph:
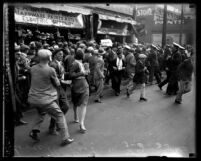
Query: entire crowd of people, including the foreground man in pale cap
x,y
44,71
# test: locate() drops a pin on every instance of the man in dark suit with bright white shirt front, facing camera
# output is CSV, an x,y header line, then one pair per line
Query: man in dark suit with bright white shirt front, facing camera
x,y
118,66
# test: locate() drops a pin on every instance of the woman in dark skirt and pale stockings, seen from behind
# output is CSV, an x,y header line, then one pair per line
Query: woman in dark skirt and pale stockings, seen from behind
x,y
80,89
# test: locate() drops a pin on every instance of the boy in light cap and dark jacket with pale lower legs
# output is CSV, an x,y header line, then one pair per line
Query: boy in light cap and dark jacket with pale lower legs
x,y
140,76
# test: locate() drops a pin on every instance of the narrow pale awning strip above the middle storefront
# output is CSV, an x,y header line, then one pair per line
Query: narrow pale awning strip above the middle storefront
x,y
118,19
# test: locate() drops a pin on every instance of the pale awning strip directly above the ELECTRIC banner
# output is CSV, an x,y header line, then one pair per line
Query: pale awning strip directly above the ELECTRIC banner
x,y
61,7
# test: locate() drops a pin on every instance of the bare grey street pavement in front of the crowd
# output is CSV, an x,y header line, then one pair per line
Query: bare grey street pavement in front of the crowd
x,y
120,127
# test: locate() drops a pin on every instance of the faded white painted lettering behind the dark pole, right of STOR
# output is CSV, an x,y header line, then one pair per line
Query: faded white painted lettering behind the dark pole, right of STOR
x,y
172,18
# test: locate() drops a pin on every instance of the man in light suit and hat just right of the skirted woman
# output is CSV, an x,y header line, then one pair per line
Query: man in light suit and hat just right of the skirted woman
x,y
99,75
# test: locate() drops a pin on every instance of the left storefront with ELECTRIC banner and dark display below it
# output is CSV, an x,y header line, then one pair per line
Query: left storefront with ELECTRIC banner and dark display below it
x,y
55,23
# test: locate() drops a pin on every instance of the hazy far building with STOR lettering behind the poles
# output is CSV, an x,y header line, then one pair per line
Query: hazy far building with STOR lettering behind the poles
x,y
151,18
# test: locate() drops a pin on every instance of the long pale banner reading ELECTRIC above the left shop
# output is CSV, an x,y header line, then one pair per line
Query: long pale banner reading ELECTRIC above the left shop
x,y
40,17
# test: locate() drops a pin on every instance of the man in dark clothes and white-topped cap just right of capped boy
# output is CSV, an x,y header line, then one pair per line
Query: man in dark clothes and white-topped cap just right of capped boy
x,y
152,59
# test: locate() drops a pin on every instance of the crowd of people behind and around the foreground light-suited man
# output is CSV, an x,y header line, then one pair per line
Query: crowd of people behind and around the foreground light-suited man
x,y
86,67
